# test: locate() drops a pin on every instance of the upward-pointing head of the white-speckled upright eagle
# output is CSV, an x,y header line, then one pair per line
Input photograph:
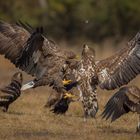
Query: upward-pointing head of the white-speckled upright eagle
x,y
88,53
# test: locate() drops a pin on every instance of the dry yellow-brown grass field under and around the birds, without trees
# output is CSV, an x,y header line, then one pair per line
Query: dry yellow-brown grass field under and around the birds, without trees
x,y
27,119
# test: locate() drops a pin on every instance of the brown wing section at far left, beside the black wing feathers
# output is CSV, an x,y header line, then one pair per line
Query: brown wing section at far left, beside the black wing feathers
x,y
12,40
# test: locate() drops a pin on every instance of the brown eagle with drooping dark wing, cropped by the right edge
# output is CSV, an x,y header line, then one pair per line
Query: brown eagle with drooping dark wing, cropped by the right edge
x,y
127,99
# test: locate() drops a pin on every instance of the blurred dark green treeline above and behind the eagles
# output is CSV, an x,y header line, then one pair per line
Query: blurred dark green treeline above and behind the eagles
x,y
76,20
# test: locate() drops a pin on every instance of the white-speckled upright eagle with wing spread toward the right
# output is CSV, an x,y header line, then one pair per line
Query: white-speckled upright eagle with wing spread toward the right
x,y
110,73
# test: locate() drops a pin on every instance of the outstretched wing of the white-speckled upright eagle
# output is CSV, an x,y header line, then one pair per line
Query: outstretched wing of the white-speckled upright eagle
x,y
120,68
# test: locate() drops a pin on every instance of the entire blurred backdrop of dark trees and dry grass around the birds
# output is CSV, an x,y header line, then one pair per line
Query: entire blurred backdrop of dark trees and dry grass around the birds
x,y
107,26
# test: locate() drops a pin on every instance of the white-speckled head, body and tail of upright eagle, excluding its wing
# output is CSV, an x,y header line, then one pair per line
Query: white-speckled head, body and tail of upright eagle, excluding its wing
x,y
85,74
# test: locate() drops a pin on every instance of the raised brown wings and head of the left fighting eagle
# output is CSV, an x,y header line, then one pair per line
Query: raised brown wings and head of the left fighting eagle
x,y
30,50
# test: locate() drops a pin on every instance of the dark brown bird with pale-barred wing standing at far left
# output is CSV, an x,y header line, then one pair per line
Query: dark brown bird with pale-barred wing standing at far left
x,y
10,93
